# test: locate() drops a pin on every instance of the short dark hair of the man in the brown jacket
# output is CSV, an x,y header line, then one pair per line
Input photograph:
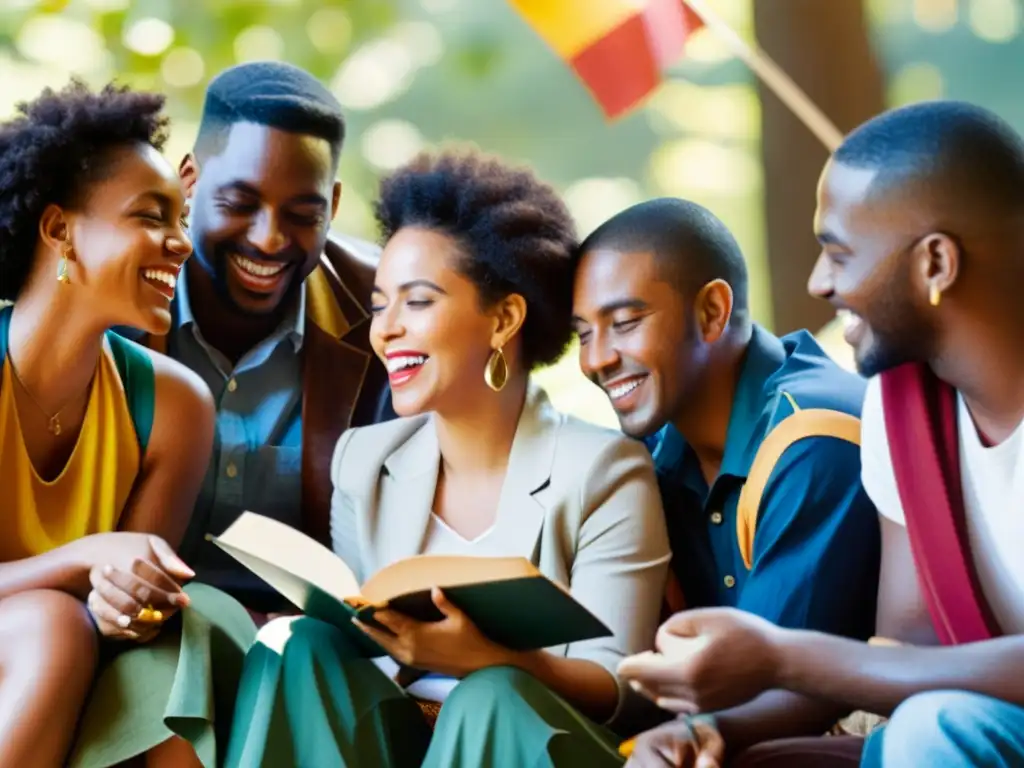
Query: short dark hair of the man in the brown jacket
x,y
274,95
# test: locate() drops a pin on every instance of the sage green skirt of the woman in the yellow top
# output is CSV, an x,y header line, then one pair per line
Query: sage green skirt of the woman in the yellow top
x,y
183,684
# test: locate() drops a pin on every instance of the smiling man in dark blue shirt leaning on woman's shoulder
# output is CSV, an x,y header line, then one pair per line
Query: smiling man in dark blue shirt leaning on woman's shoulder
x,y
661,307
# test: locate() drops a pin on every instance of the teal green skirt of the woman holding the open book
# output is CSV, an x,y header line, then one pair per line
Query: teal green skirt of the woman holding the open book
x,y
309,700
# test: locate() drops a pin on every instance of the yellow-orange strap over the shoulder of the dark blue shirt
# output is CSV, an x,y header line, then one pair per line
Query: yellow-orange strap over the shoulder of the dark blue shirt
x,y
815,422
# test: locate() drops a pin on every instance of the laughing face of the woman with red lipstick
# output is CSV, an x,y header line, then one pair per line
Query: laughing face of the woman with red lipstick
x,y
429,325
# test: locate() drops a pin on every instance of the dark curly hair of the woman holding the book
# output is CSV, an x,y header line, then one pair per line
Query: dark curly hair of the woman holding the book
x,y
516,233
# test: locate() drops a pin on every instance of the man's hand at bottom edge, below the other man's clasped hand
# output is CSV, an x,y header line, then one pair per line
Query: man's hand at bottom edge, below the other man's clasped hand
x,y
687,743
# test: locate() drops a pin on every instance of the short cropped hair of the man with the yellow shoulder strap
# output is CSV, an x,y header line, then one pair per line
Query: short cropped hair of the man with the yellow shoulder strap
x,y
692,245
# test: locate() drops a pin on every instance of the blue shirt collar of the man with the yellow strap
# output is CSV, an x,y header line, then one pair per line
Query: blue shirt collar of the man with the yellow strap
x,y
765,355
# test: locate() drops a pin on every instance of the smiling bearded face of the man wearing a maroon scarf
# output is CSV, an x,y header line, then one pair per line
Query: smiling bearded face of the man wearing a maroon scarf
x,y
870,270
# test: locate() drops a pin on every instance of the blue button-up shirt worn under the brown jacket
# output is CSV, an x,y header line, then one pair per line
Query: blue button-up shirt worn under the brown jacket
x,y
258,454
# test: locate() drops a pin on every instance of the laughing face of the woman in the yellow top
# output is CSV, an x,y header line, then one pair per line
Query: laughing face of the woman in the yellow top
x,y
129,240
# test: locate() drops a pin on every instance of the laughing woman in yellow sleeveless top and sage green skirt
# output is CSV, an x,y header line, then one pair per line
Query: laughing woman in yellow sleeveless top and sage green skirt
x,y
98,478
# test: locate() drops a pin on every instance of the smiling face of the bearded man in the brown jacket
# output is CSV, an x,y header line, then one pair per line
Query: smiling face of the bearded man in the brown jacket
x,y
261,216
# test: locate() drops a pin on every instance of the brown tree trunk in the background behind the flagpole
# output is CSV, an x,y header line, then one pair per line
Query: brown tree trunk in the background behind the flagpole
x,y
824,47
